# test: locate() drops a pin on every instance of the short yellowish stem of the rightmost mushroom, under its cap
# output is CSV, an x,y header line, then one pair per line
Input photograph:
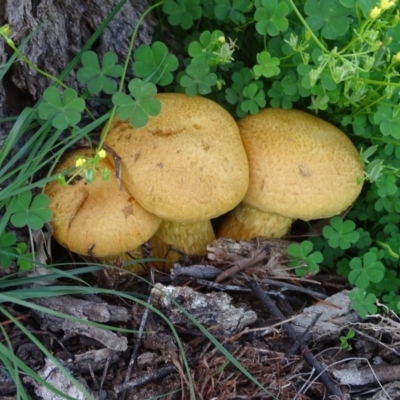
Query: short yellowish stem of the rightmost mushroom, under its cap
x,y
246,222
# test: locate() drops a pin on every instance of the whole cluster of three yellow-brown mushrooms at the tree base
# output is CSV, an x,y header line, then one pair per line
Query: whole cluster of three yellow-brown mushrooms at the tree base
x,y
193,163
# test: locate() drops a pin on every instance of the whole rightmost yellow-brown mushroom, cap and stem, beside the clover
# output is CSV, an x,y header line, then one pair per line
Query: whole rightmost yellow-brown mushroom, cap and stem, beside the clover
x,y
300,167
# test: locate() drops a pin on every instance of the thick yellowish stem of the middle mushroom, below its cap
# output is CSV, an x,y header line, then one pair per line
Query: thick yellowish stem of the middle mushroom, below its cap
x,y
175,238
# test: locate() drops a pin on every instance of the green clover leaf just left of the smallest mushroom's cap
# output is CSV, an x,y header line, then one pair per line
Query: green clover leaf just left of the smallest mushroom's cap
x,y
31,212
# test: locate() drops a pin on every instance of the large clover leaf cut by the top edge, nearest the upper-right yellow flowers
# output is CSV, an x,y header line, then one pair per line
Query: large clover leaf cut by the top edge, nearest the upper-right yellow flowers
x,y
332,18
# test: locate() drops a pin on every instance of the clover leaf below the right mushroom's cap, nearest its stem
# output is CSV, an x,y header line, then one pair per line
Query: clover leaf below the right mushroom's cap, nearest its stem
x,y
303,258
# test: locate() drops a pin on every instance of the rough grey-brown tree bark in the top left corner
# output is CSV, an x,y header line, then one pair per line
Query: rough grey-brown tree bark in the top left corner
x,y
62,27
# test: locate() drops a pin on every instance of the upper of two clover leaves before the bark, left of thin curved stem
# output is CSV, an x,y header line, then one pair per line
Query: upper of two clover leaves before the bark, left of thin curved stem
x,y
96,77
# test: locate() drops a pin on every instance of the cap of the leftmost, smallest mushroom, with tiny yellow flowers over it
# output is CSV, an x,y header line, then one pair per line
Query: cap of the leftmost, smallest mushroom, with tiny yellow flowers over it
x,y
97,218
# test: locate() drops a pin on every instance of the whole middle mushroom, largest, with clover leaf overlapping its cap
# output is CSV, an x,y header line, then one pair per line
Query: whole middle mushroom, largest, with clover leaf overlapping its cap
x,y
187,165
